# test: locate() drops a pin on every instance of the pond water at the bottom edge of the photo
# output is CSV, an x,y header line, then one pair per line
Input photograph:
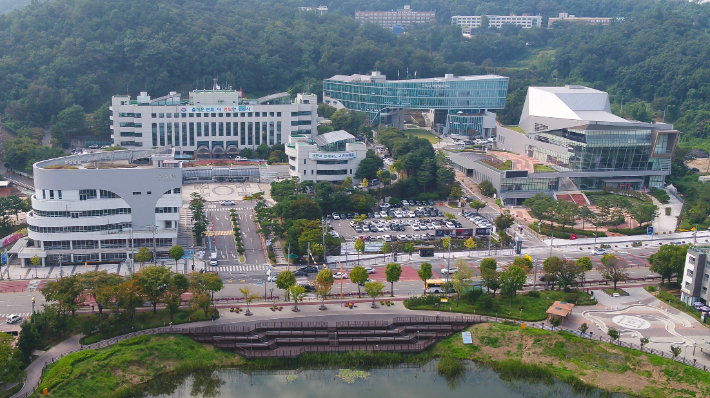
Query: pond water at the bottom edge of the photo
x,y
403,381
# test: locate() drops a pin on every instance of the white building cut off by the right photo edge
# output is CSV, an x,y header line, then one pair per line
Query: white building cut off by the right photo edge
x,y
696,276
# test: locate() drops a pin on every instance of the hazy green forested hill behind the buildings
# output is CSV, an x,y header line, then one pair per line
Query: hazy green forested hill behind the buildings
x,y
61,53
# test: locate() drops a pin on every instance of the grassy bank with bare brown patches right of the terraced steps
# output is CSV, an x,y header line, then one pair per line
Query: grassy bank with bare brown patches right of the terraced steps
x,y
543,355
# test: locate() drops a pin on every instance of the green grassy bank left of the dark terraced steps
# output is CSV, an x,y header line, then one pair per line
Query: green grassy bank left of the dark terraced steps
x,y
114,370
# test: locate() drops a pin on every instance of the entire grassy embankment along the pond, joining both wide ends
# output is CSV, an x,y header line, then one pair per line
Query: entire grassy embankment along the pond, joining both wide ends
x,y
533,354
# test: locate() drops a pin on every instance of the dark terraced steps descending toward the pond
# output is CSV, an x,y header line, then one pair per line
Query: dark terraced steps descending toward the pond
x,y
291,339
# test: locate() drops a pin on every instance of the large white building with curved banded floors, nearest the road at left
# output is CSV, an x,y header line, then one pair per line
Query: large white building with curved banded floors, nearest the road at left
x,y
102,207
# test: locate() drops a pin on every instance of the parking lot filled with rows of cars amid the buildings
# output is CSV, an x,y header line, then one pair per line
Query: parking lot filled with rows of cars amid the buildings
x,y
418,222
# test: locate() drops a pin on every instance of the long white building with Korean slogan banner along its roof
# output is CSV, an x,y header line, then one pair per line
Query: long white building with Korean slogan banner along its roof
x,y
211,123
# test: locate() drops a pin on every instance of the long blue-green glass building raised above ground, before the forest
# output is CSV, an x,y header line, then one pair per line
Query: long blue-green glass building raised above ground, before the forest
x,y
464,102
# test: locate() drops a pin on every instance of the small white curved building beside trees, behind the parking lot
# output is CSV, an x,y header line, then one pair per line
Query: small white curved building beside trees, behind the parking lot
x,y
332,156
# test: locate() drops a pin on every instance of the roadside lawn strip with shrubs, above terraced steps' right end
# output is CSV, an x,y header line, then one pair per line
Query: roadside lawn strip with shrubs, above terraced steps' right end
x,y
534,308
